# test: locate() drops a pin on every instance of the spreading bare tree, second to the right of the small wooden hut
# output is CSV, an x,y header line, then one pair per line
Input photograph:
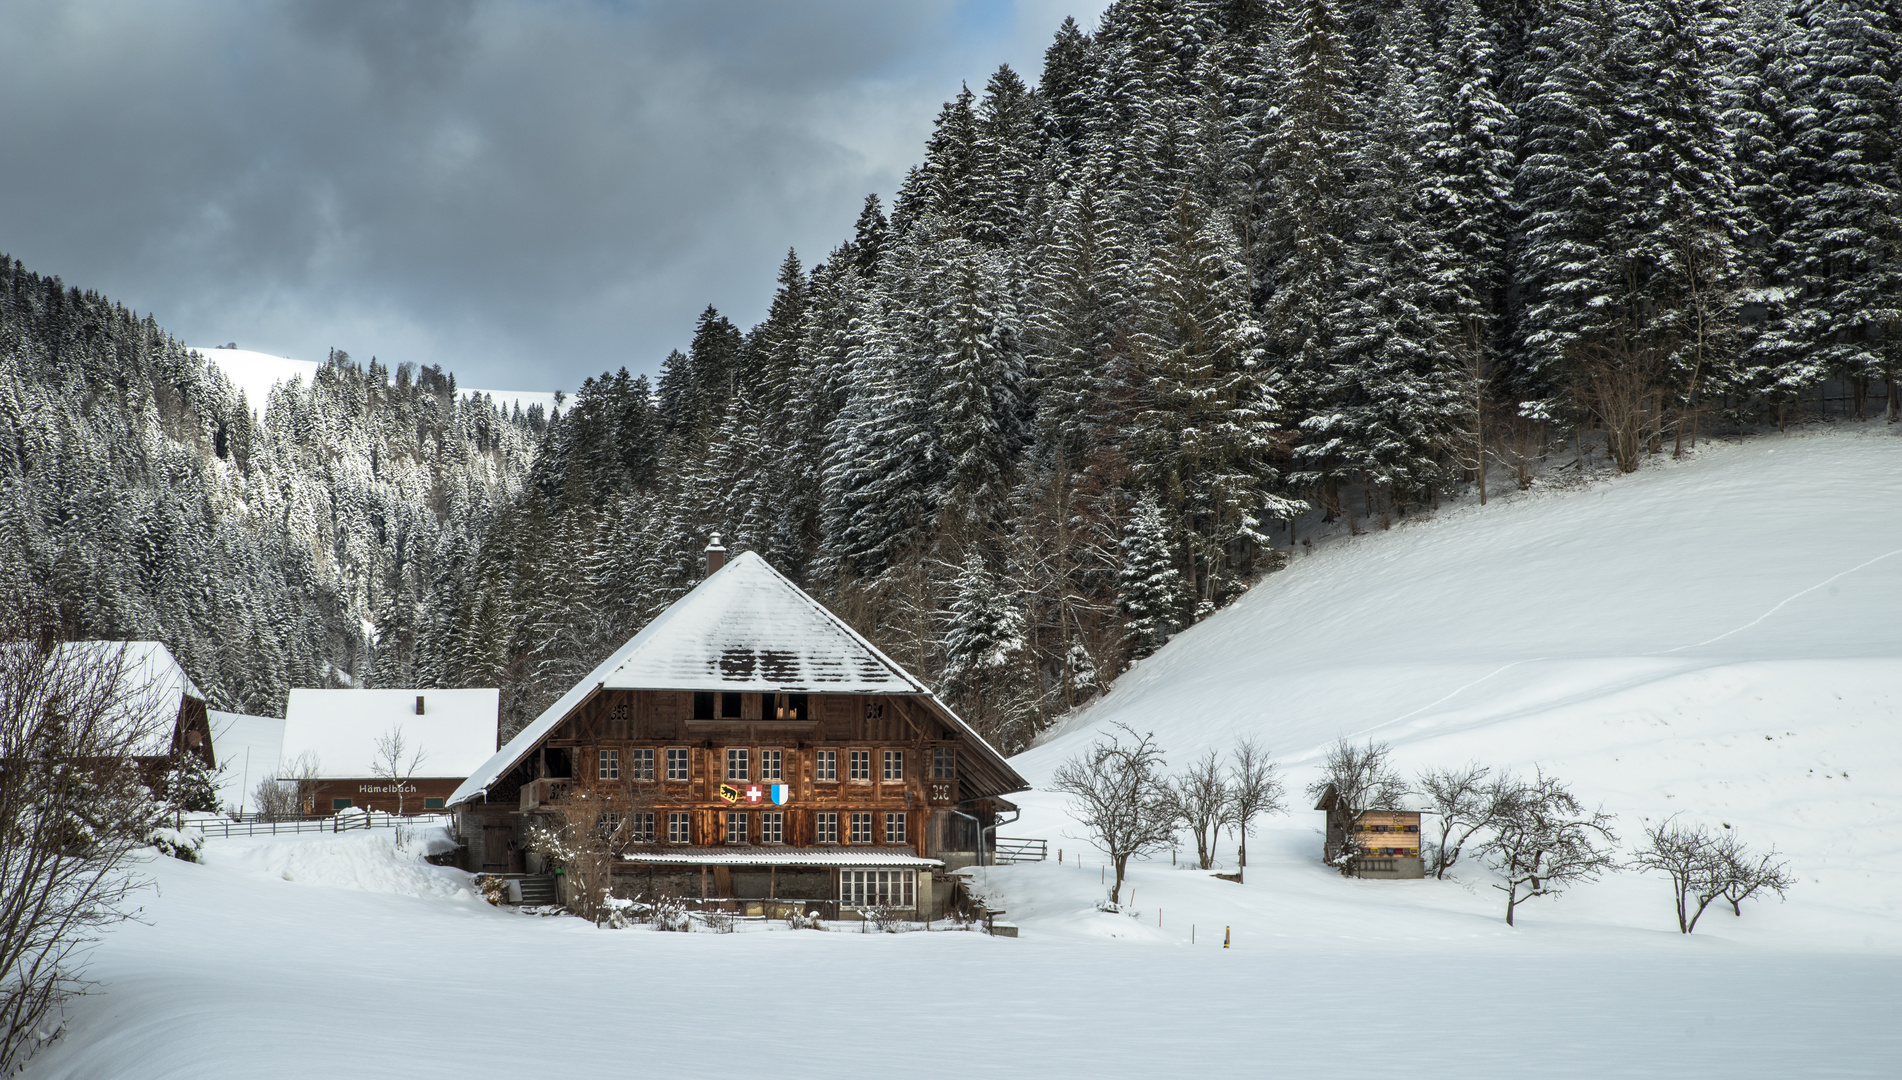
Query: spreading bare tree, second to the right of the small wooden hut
x,y
1545,841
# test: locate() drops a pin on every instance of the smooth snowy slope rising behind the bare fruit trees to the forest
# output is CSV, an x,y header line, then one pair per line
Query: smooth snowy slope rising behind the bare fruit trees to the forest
x,y
1717,638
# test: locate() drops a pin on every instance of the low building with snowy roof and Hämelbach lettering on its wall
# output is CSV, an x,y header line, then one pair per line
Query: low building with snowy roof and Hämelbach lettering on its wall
x,y
332,746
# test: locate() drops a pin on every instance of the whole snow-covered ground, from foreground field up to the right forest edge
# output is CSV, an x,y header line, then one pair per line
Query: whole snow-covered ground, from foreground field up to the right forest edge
x,y
1718,638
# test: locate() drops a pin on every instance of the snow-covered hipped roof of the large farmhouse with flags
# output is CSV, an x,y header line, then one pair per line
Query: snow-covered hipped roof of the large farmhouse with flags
x,y
743,628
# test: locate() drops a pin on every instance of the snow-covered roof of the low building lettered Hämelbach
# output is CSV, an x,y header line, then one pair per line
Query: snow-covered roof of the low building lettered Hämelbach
x,y
456,729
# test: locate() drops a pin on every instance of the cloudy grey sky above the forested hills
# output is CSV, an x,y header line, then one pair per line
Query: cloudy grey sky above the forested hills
x,y
524,193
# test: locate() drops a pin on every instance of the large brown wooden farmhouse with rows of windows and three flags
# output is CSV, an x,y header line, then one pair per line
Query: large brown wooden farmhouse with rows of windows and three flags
x,y
762,758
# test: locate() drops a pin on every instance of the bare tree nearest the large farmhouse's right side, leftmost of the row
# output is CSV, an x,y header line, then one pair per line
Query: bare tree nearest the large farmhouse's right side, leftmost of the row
x,y
1119,794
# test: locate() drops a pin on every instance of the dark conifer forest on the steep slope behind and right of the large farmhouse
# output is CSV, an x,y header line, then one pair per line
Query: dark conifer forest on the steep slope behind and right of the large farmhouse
x,y
1228,261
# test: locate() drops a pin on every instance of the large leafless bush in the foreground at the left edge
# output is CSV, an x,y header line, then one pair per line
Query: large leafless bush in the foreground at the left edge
x,y
75,807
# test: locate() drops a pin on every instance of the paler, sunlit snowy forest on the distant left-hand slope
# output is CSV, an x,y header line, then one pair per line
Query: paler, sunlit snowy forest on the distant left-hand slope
x,y
144,499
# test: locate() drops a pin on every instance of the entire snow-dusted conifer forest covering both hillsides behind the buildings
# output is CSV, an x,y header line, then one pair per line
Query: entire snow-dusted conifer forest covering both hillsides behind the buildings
x,y
1226,267
